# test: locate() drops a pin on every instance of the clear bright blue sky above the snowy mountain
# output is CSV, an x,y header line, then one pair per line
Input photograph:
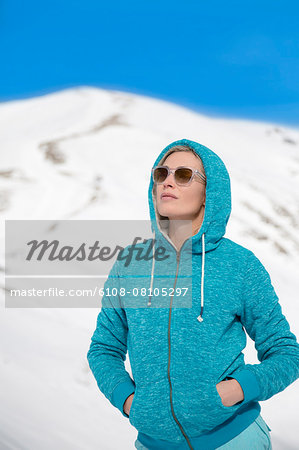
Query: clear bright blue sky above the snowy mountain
x,y
234,59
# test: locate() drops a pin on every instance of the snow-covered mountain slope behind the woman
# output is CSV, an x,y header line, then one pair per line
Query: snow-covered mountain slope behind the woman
x,y
73,155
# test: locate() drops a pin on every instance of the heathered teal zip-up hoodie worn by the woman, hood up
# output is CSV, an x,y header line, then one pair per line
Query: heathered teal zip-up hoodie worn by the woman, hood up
x,y
179,351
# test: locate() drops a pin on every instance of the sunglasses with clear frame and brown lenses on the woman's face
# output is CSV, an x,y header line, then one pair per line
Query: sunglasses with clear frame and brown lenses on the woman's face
x,y
182,175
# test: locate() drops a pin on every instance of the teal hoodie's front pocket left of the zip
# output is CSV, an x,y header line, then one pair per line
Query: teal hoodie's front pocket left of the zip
x,y
150,411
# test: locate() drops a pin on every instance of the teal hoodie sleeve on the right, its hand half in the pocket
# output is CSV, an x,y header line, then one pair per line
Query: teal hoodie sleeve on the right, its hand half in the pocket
x,y
277,347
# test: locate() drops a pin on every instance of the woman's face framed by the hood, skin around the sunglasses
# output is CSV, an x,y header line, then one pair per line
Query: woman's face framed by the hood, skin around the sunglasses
x,y
190,199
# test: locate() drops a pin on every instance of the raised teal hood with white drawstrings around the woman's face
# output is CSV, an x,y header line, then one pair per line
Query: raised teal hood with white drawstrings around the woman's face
x,y
217,205
